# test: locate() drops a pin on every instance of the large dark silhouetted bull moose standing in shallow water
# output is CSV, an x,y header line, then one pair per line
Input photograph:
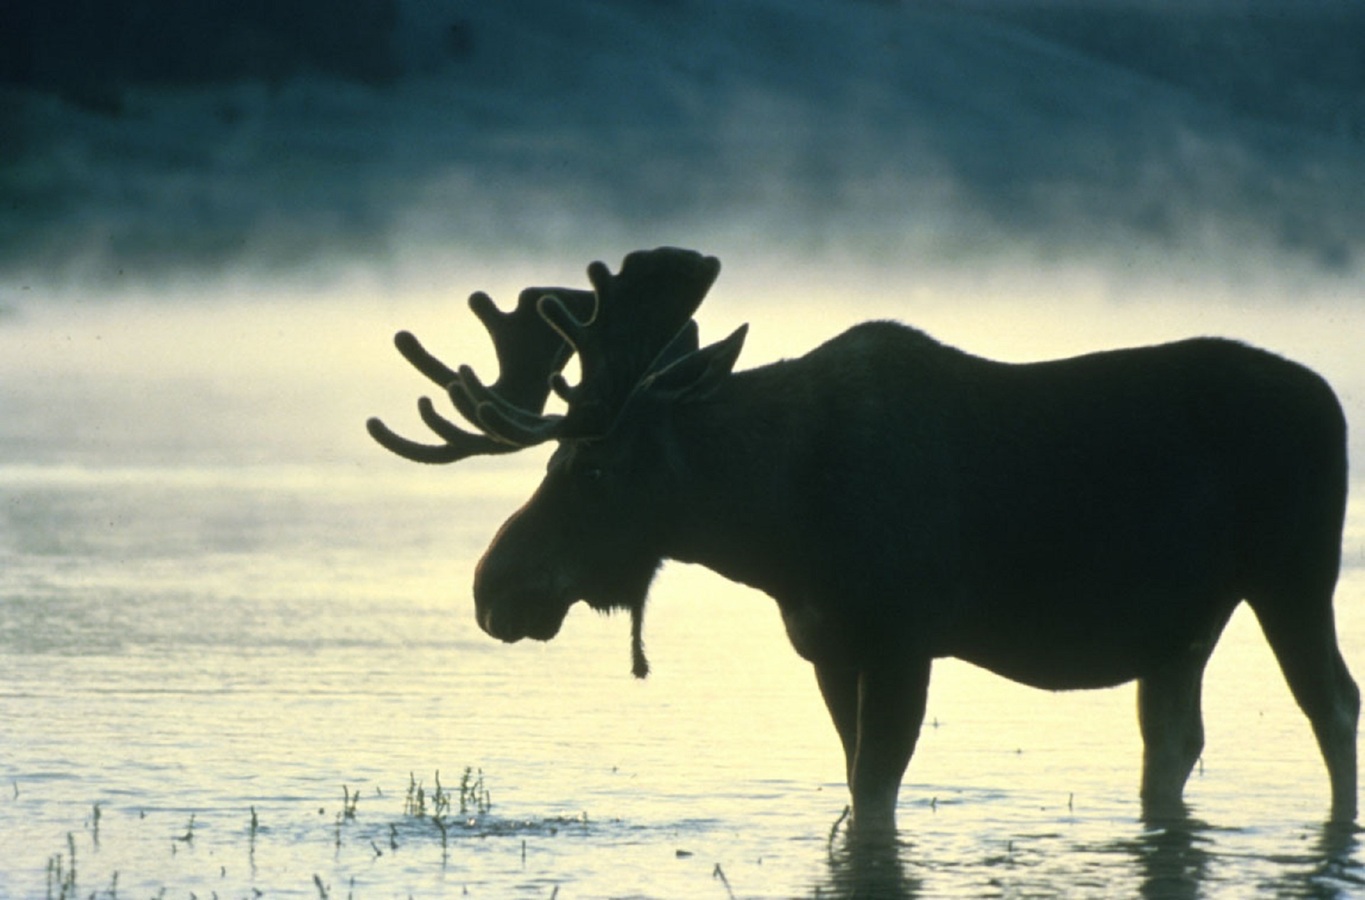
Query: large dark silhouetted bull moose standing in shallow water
x,y
1075,524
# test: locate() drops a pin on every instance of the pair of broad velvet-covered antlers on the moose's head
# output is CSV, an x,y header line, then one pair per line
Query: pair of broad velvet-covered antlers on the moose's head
x,y
630,326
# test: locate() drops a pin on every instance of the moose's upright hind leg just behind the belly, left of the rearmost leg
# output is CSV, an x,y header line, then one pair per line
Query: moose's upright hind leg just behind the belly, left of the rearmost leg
x,y
1170,718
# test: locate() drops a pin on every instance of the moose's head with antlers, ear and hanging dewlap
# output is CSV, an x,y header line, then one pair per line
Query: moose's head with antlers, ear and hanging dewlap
x,y
593,529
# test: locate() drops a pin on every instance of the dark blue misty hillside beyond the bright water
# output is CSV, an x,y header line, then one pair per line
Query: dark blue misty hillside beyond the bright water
x,y
152,140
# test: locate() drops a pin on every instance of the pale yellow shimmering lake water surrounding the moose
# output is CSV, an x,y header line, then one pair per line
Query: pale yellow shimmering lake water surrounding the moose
x,y
225,615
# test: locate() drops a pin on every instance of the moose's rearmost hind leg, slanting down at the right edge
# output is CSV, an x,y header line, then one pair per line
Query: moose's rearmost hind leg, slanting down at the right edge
x,y
1304,641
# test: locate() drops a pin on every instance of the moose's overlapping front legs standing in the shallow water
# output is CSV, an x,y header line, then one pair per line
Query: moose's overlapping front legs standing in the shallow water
x,y
878,712
